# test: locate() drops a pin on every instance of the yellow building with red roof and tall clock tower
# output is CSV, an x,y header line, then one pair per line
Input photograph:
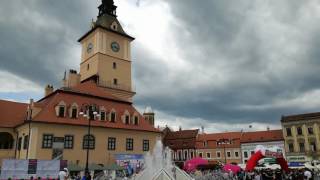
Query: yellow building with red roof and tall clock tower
x,y
92,110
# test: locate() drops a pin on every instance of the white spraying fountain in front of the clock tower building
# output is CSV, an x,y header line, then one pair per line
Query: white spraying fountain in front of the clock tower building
x,y
159,166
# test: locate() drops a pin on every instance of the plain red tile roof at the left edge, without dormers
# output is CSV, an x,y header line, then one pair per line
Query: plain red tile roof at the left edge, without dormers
x,y
12,113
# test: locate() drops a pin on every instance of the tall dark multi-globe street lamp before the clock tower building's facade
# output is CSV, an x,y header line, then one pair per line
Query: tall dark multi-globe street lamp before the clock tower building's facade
x,y
89,111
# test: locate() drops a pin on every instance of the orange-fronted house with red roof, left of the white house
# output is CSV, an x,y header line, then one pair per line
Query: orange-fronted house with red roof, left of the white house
x,y
222,147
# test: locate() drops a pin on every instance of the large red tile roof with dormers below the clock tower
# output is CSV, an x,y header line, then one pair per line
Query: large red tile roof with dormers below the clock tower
x,y
94,95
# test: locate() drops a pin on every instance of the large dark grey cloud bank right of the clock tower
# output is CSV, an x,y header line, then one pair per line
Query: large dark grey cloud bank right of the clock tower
x,y
261,51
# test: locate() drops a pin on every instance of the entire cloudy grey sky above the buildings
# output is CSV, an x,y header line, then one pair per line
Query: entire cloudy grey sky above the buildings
x,y
223,64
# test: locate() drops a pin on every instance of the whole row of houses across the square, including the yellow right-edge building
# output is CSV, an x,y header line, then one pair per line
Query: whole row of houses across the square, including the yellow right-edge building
x,y
298,139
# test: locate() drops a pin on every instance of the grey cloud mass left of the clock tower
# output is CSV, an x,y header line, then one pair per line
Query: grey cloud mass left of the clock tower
x,y
37,37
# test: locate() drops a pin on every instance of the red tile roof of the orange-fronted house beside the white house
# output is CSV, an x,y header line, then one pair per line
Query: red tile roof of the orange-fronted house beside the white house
x,y
212,140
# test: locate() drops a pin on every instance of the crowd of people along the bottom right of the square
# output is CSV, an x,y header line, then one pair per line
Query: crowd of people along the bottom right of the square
x,y
261,174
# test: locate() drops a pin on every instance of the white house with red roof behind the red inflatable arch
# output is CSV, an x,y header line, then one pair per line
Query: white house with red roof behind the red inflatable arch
x,y
268,139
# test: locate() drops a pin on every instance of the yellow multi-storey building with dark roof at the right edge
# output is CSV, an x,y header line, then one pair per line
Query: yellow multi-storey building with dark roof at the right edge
x,y
302,137
